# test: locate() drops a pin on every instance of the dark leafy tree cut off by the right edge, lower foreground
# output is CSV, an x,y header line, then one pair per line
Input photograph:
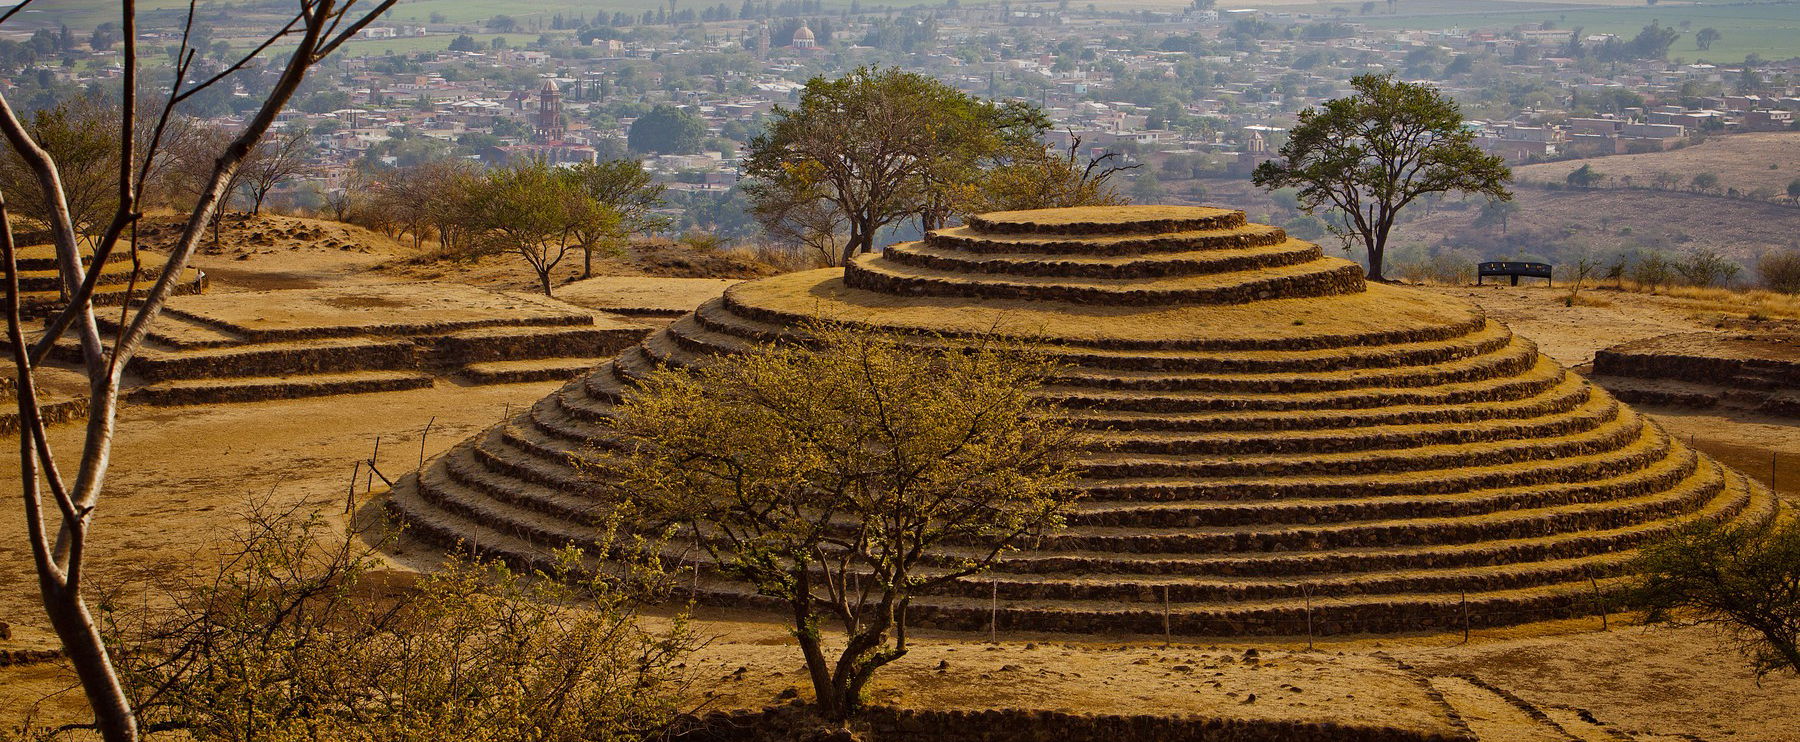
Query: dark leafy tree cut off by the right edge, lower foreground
x,y
1741,579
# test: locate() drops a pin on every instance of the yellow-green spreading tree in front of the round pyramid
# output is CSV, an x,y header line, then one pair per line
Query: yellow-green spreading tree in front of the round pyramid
x,y
823,475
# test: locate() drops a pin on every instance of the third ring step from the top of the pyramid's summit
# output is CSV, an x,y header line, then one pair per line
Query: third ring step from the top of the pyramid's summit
x,y
1138,267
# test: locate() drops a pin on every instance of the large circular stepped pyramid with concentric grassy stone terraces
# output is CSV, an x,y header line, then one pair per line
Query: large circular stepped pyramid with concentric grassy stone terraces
x,y
1284,446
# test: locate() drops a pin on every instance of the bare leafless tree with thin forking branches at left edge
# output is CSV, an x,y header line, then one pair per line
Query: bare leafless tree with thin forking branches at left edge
x,y
58,538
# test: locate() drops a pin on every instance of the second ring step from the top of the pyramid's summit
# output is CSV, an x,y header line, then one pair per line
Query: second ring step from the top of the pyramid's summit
x,y
969,240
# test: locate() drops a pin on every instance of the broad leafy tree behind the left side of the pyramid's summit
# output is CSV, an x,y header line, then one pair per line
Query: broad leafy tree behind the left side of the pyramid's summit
x,y
881,147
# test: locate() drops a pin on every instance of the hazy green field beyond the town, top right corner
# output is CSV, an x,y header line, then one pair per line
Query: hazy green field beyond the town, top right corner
x,y
1770,30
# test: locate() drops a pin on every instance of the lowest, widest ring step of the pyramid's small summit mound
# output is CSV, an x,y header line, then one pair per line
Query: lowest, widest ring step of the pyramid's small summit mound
x,y
1308,280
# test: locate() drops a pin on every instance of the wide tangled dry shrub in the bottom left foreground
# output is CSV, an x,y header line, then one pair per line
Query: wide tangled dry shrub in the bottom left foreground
x,y
298,637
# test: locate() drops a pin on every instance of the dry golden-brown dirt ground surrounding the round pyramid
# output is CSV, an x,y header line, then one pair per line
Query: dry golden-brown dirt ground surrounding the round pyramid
x,y
183,475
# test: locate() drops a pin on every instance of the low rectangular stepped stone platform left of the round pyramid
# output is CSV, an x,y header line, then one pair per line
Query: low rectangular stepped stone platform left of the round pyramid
x,y
253,347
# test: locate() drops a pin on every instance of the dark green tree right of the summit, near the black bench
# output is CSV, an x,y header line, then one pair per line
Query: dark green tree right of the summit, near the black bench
x,y
1369,156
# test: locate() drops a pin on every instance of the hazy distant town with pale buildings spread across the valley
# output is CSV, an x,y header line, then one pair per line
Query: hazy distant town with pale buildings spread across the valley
x,y
1196,93
